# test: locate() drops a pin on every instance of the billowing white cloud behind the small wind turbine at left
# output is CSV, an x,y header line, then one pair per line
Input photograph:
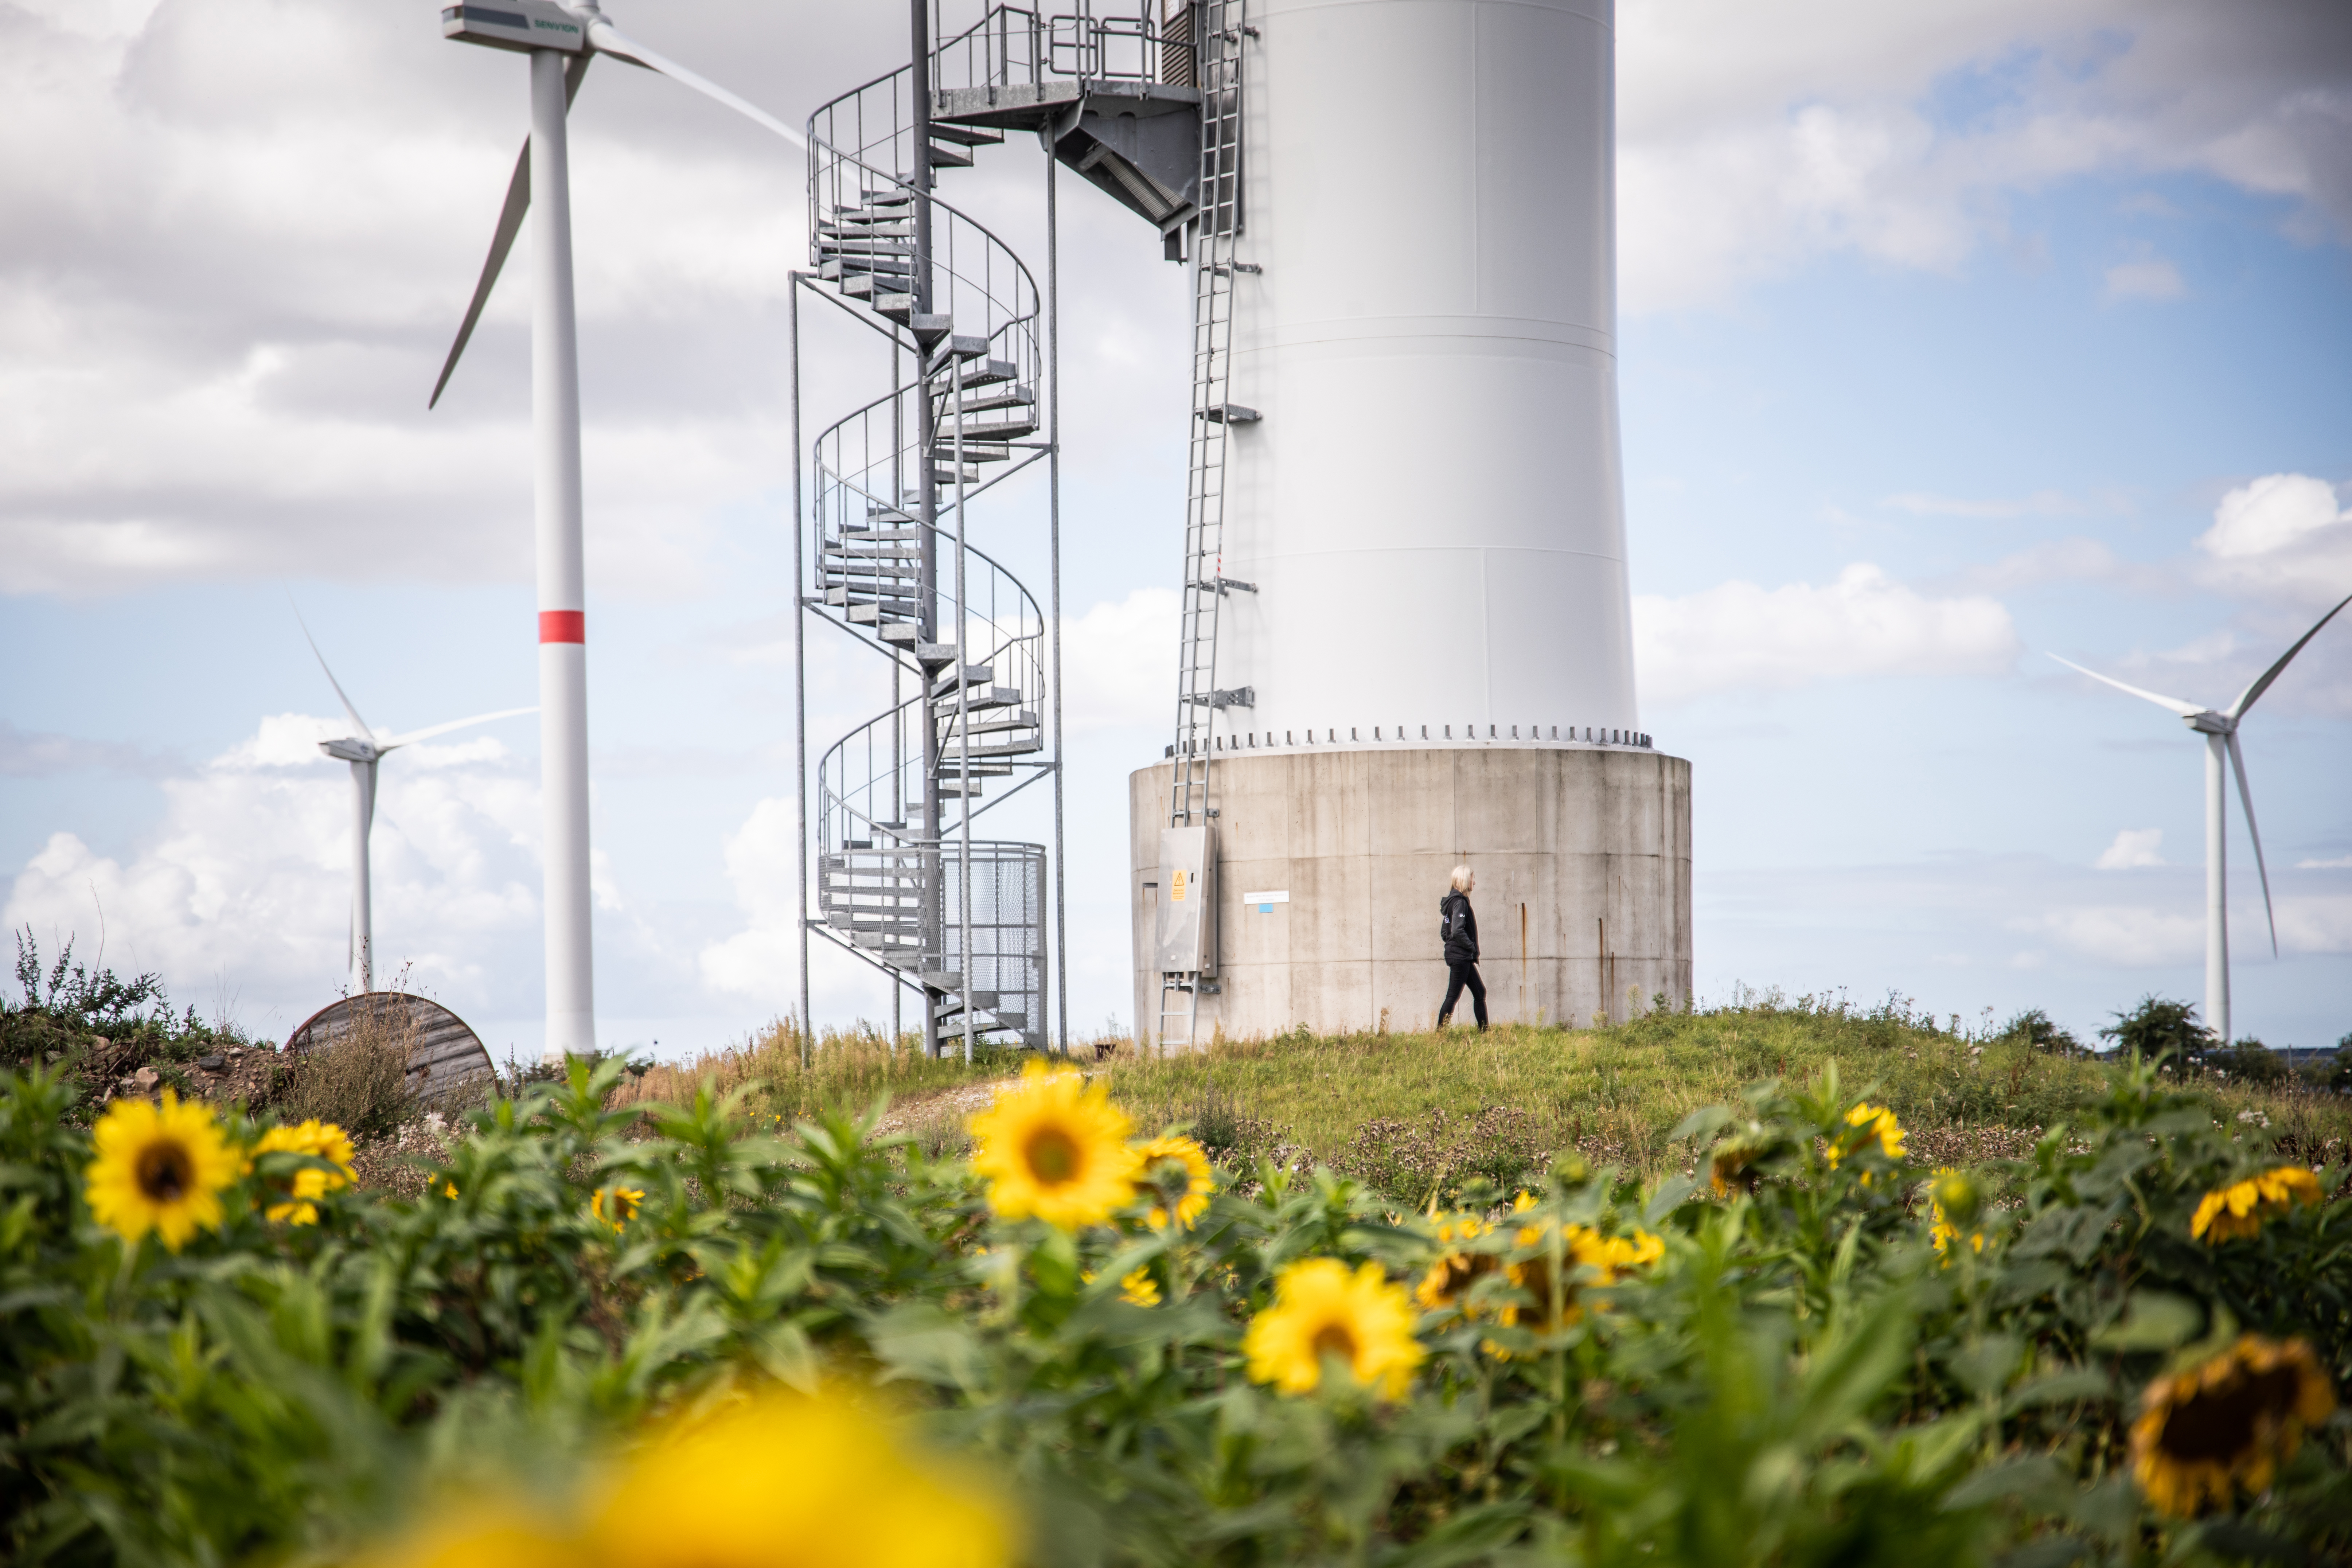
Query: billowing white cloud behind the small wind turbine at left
x,y
248,876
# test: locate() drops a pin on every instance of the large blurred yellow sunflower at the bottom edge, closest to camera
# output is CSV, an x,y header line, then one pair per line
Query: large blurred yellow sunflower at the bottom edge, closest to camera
x,y
707,1494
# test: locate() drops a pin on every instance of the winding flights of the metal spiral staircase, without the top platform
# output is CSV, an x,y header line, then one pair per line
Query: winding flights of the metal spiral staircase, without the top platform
x,y
902,878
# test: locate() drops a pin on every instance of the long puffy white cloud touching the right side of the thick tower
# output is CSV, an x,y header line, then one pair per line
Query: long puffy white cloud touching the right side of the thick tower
x,y
1749,638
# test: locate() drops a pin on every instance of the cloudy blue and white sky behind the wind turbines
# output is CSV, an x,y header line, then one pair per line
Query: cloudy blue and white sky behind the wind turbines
x,y
1953,337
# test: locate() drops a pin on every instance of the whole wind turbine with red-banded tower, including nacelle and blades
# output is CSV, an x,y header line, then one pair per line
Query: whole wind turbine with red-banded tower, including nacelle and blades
x,y
561,41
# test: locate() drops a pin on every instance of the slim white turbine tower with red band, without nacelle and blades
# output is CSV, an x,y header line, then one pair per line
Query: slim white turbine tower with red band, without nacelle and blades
x,y
563,638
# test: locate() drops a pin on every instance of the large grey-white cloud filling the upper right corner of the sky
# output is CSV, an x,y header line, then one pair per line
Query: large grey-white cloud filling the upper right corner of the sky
x,y
1758,138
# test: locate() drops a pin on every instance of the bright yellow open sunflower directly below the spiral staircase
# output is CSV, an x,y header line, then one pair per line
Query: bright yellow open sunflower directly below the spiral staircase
x,y
1057,1151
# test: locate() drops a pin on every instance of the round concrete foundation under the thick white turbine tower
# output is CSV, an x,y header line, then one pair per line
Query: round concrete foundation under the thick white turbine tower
x,y
1330,866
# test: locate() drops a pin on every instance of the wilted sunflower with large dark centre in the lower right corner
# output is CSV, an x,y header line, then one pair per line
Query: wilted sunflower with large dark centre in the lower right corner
x,y
2226,1423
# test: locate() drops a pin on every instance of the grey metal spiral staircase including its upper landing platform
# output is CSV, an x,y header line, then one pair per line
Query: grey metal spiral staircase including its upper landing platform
x,y
902,880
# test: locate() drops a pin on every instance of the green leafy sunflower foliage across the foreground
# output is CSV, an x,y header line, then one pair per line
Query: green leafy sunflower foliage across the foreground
x,y
1829,1362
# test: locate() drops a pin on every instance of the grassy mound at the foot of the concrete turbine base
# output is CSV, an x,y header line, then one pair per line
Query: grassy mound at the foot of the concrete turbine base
x,y
1403,1108
